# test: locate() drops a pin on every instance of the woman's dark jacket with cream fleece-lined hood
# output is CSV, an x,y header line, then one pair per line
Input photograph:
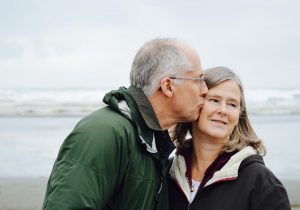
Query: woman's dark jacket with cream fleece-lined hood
x,y
243,183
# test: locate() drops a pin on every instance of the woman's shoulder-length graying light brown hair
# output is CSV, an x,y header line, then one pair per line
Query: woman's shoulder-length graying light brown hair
x,y
243,133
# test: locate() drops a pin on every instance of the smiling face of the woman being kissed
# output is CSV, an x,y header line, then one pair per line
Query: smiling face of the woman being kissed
x,y
221,111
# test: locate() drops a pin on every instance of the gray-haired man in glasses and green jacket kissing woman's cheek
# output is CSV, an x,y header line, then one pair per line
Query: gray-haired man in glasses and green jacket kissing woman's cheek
x,y
117,157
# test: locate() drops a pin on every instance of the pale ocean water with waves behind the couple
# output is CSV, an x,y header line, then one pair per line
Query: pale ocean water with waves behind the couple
x,y
34,123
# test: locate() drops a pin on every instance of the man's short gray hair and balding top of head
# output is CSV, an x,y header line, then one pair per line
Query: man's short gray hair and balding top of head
x,y
155,60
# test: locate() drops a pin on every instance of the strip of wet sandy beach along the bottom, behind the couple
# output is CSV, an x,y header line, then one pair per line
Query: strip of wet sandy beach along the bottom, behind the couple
x,y
28,193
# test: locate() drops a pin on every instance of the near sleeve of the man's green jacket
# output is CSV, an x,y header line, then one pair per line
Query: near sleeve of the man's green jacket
x,y
88,170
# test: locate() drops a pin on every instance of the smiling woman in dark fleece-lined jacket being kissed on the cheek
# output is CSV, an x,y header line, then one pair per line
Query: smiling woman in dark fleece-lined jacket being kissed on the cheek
x,y
221,166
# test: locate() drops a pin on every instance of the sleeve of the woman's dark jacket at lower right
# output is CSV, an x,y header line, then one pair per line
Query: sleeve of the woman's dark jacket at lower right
x,y
269,193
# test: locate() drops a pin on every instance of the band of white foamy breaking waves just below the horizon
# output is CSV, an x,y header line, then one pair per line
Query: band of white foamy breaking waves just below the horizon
x,y
79,102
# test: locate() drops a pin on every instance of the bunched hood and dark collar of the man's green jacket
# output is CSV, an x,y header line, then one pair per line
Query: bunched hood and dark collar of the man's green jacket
x,y
132,103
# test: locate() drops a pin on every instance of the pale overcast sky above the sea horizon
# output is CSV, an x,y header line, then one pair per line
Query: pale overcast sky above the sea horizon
x,y
82,43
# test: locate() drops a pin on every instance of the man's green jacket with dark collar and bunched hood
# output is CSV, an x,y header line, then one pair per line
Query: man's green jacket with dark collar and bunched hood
x,y
111,159
